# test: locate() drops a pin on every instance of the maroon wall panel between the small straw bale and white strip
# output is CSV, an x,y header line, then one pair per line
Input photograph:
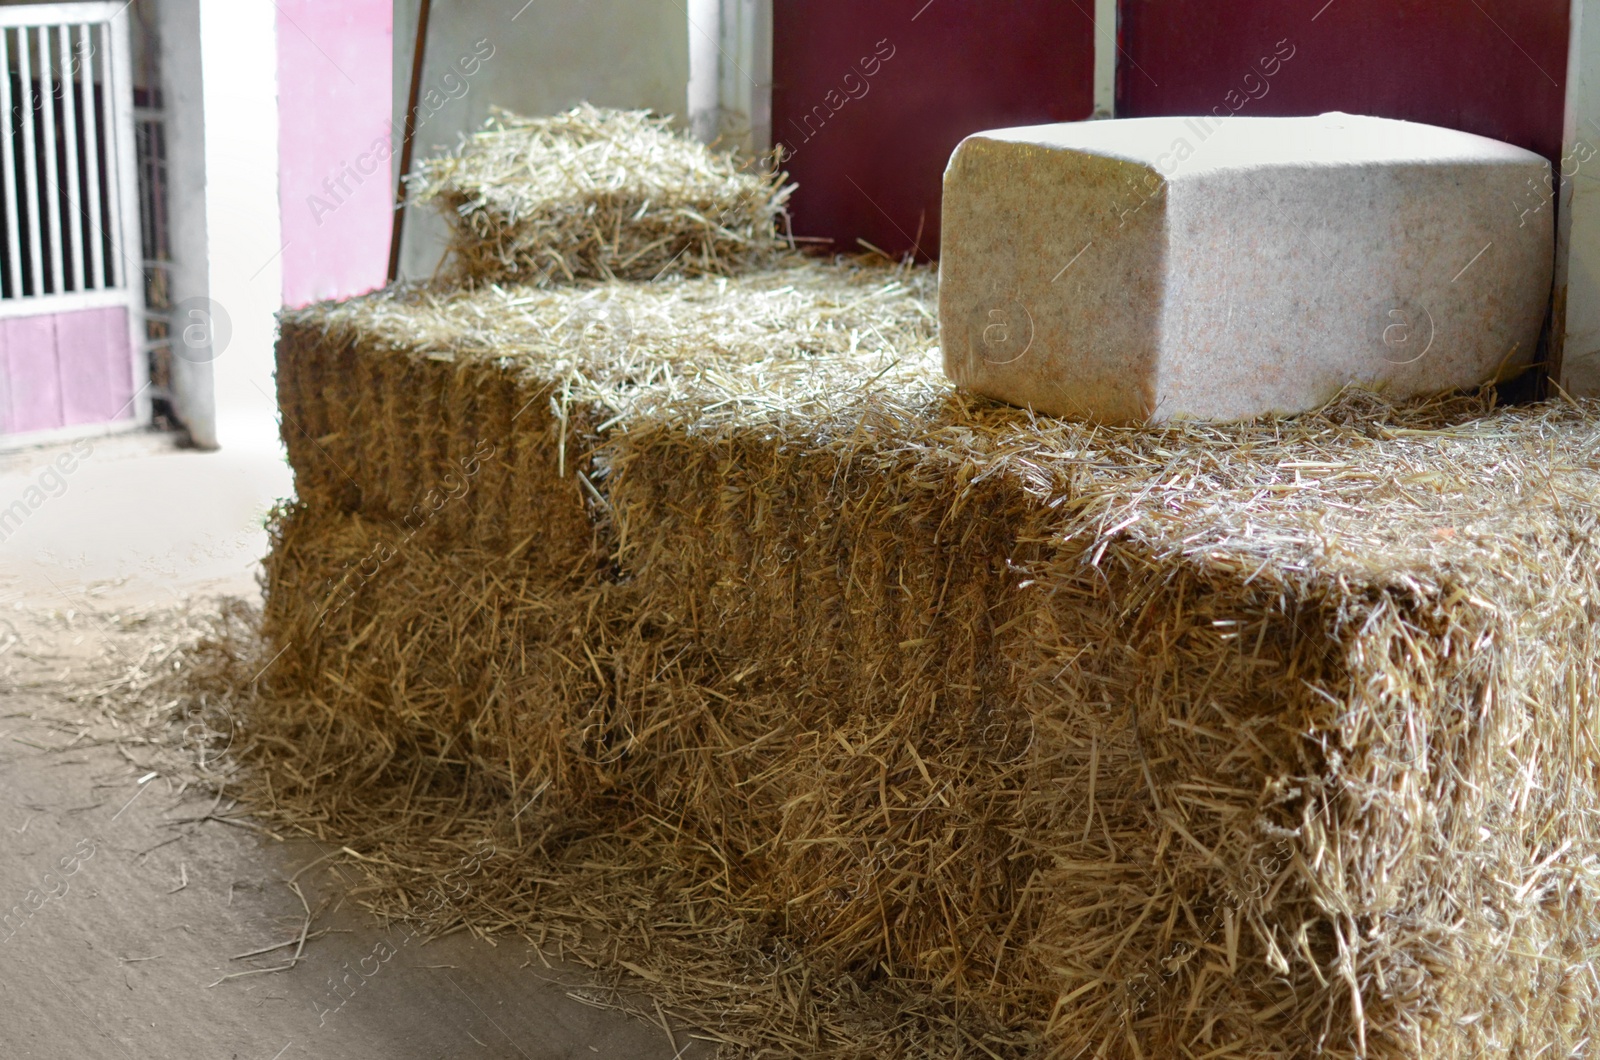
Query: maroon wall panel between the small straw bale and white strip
x,y
871,98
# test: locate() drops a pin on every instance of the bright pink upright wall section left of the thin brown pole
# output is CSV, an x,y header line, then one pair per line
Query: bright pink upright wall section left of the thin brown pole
x,y
335,90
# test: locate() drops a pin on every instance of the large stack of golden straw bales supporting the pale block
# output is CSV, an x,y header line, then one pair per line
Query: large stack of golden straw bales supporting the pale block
x,y
1244,741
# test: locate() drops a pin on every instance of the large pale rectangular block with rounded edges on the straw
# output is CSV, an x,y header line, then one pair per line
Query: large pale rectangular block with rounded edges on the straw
x,y
1143,270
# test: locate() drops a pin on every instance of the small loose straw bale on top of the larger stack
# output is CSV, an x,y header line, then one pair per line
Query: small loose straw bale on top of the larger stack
x,y
601,195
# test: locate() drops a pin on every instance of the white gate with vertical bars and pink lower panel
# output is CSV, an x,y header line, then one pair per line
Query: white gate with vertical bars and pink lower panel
x,y
70,252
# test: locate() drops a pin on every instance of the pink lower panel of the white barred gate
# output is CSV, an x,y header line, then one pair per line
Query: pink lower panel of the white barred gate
x,y
66,369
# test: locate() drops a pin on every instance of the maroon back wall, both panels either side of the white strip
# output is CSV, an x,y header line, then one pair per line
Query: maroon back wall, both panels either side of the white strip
x,y
871,167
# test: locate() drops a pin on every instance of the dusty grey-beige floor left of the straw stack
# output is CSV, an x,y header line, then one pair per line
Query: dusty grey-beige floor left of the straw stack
x,y
126,902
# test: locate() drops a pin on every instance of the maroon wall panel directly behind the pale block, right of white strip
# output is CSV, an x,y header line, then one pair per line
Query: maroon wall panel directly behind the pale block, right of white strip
x,y
1497,68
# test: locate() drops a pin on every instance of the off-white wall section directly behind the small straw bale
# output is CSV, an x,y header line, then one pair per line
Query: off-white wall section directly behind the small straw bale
x,y
550,55
